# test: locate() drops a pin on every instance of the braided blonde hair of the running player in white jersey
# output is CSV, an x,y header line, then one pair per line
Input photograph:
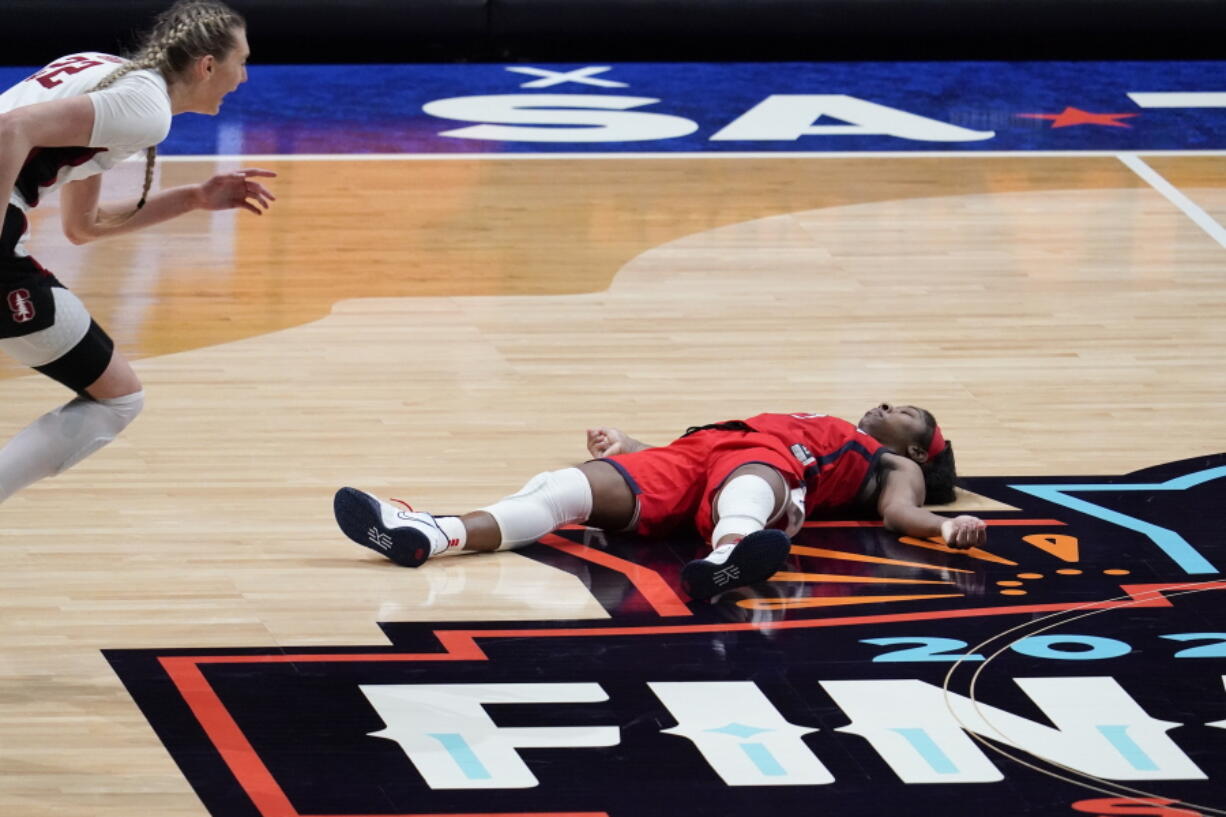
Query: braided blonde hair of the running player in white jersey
x,y
181,35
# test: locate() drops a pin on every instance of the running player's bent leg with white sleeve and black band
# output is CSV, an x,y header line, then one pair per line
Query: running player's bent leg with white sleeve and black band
x,y
77,353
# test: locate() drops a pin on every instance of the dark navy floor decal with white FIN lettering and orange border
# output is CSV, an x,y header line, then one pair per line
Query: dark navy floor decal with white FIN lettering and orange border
x,y
1075,665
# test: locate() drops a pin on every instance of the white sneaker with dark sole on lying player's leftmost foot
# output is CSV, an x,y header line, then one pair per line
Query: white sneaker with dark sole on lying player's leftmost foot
x,y
408,538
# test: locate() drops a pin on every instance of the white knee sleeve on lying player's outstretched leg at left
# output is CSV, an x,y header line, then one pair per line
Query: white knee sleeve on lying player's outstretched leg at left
x,y
545,505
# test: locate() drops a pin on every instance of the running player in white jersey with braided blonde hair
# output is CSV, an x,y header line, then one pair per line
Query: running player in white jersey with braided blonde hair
x,y
61,129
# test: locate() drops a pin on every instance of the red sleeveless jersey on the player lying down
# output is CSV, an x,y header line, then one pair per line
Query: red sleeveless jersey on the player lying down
x,y
837,457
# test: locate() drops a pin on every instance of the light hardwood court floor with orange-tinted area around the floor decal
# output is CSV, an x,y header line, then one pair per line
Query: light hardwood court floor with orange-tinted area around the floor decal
x,y
441,329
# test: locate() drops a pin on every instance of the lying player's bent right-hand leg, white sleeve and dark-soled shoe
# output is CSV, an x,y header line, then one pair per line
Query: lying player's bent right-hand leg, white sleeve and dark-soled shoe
x,y
746,550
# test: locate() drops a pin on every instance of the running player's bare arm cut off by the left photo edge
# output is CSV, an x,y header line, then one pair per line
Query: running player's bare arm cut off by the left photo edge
x,y
61,123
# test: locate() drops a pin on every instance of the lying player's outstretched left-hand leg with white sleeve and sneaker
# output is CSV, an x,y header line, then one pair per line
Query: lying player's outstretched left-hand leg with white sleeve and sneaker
x,y
594,494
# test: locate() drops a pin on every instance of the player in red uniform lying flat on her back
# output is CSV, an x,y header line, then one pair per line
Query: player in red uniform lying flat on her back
x,y
747,486
